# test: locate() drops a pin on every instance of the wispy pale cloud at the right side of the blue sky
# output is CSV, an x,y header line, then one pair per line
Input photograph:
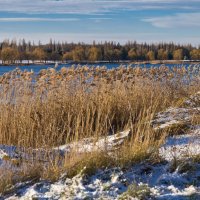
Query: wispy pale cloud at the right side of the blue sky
x,y
175,21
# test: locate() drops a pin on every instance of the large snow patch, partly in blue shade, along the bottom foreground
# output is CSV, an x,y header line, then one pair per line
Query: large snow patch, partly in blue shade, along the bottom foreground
x,y
112,183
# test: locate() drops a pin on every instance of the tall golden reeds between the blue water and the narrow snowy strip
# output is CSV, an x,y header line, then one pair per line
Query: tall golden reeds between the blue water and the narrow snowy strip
x,y
61,107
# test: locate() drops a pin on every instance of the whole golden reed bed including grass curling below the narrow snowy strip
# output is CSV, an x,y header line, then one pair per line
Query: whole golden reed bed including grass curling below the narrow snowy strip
x,y
53,108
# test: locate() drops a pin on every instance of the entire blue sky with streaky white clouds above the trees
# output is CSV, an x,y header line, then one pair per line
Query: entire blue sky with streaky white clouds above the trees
x,y
100,20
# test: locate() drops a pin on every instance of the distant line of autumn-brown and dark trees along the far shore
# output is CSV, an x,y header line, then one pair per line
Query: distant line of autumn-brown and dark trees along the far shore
x,y
12,51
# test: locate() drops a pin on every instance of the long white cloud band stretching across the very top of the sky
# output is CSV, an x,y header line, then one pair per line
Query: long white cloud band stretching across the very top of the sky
x,y
90,6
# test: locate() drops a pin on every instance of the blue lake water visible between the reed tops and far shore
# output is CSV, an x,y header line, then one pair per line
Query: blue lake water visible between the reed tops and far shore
x,y
37,68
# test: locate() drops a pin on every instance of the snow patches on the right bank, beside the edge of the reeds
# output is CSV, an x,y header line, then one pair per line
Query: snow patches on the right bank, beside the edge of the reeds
x,y
185,145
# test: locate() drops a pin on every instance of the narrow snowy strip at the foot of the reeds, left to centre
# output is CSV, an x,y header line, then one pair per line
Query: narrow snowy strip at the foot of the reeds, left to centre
x,y
12,153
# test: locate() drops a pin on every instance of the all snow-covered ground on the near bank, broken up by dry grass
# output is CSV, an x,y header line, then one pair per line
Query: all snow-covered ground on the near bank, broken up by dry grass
x,y
177,176
